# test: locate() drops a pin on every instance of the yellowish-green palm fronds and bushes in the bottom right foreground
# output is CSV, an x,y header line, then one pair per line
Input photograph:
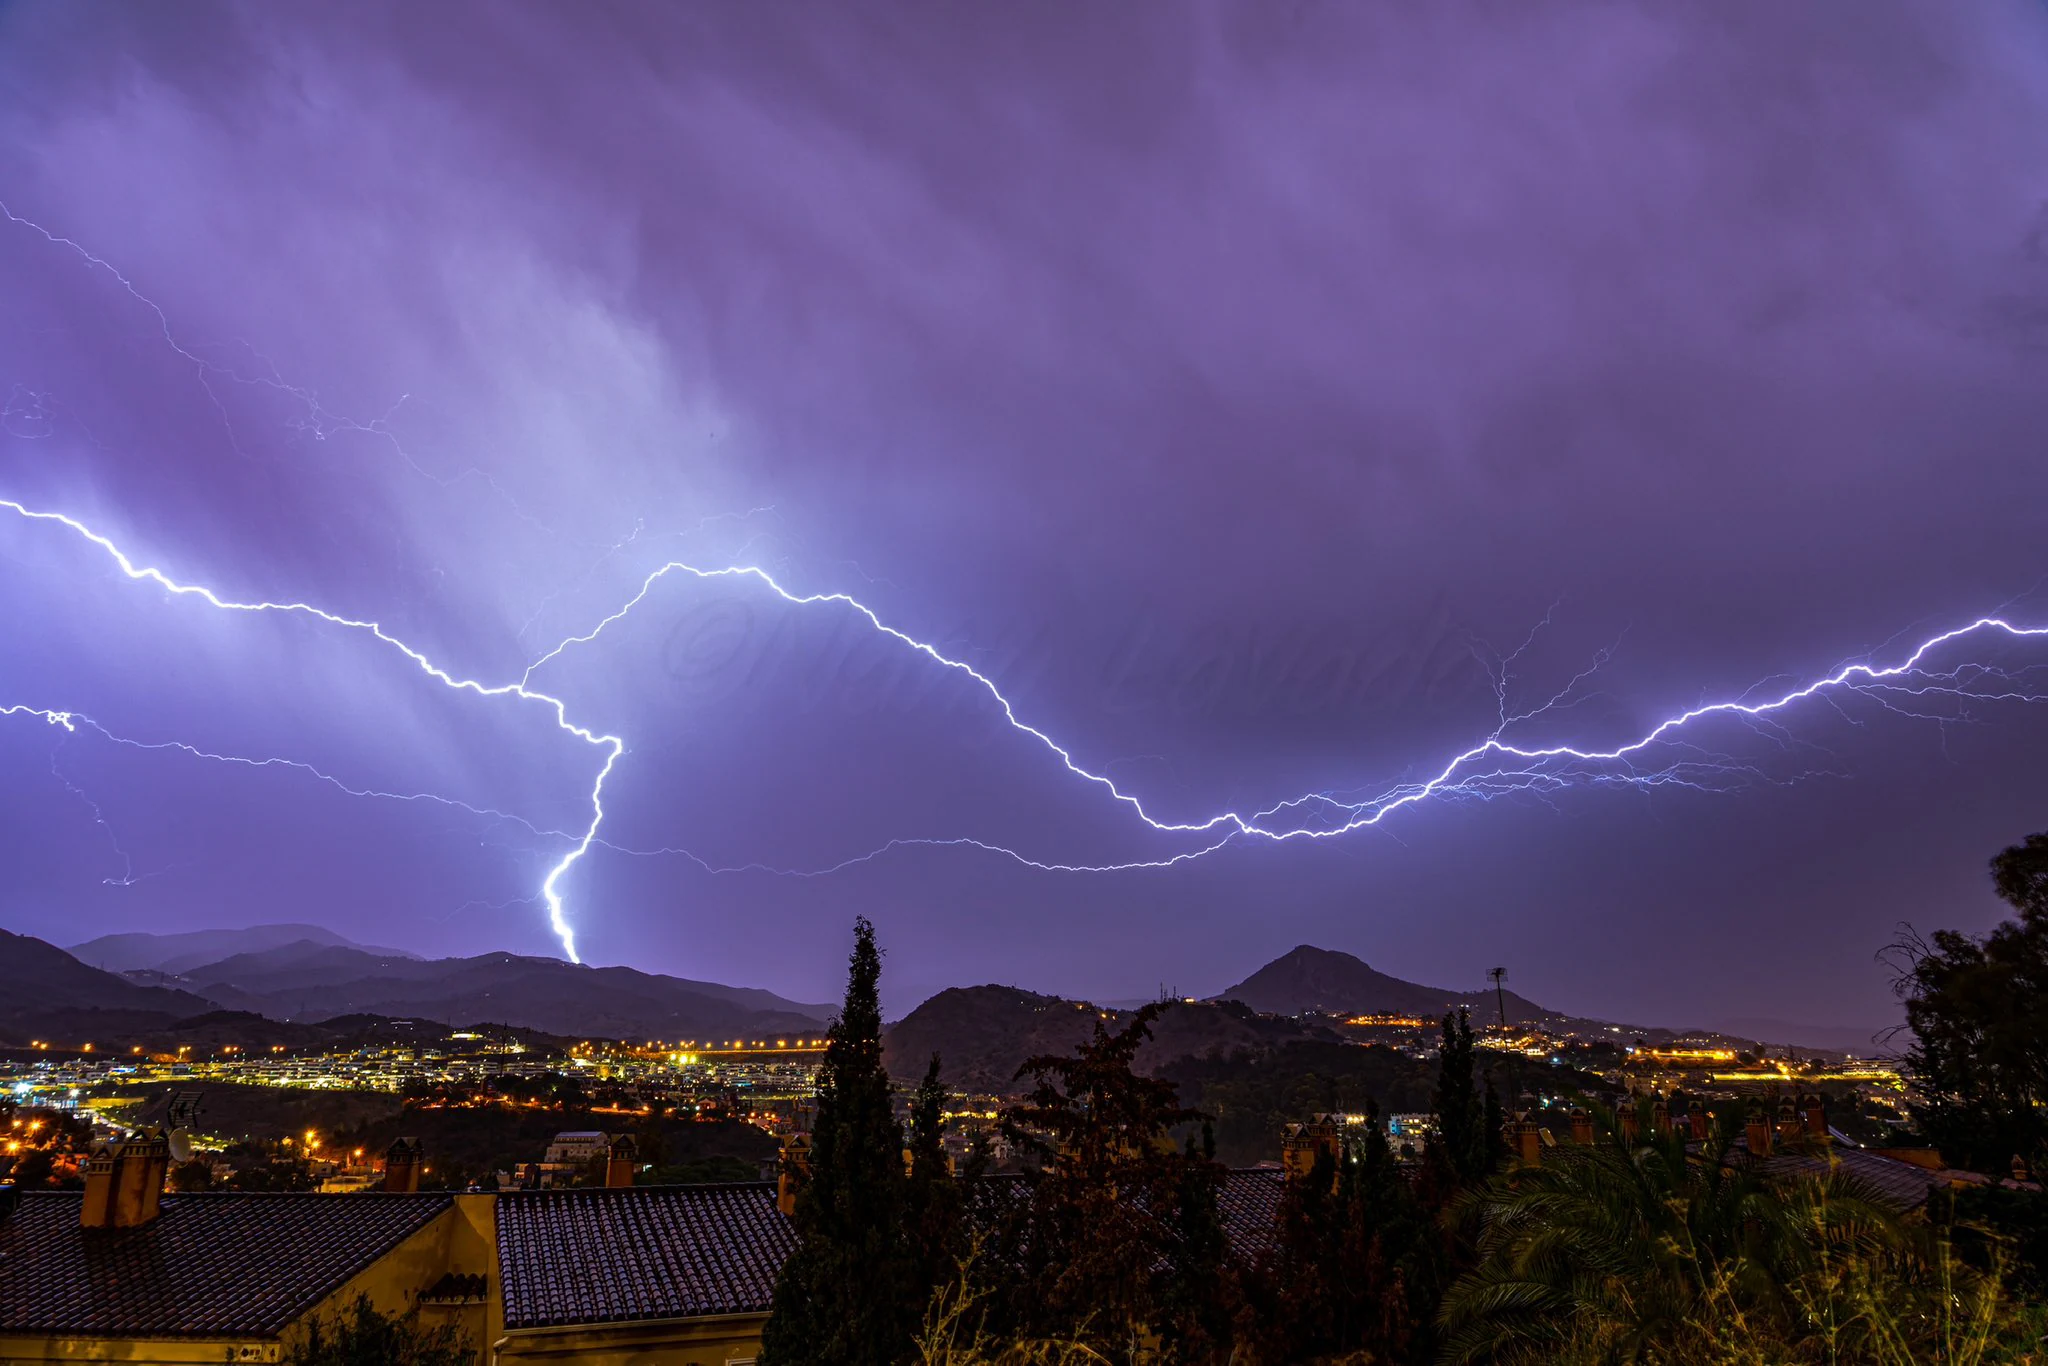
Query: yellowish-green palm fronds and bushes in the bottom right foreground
x,y
1644,1254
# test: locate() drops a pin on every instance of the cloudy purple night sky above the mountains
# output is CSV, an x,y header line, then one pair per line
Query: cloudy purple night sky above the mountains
x,y
1234,386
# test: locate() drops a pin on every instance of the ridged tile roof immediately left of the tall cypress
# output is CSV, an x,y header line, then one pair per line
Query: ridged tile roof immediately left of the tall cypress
x,y
640,1252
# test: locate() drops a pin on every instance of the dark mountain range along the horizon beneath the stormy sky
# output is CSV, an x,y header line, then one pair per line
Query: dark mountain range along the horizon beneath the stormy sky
x,y
284,978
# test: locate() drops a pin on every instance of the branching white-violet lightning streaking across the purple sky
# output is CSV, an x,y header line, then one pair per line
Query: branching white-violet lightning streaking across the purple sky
x,y
1490,769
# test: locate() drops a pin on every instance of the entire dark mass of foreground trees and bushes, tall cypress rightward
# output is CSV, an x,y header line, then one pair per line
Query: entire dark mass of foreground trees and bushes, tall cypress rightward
x,y
1111,1250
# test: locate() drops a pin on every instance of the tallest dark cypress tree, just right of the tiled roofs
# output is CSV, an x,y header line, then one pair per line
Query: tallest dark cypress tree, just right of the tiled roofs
x,y
849,1295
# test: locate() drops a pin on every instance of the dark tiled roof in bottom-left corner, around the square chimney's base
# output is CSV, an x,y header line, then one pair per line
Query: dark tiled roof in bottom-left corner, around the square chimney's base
x,y
234,1265
